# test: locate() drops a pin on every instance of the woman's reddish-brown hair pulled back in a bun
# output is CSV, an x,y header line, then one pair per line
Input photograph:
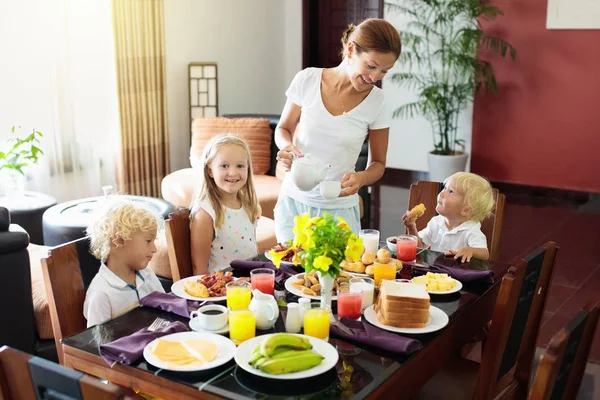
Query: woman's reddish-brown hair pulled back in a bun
x,y
373,34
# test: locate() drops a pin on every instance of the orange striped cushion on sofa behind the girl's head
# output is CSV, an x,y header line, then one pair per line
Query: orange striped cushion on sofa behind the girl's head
x,y
255,131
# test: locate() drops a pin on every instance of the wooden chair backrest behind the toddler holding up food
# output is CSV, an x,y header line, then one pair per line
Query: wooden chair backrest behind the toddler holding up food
x,y
426,192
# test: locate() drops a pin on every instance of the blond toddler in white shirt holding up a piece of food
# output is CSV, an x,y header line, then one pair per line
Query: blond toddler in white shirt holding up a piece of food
x,y
465,201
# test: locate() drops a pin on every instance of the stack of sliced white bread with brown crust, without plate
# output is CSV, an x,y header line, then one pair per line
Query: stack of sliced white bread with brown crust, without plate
x,y
403,304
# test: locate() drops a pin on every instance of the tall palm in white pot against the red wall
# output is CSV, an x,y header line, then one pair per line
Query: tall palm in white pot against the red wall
x,y
440,46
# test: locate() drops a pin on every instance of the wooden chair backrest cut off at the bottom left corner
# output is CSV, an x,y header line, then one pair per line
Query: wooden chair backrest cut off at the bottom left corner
x,y
23,376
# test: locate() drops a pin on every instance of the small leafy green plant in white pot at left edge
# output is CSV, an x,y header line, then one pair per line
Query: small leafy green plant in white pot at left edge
x,y
20,152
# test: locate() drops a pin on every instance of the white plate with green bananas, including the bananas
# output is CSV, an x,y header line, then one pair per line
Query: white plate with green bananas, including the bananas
x,y
286,356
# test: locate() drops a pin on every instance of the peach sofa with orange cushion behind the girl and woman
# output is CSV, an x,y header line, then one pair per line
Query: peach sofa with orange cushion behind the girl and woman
x,y
178,187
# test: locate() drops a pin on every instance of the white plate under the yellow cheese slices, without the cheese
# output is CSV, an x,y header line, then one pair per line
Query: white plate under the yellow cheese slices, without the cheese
x,y
226,351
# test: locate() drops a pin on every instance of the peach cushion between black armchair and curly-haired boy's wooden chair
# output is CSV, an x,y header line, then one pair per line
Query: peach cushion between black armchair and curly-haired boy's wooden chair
x,y
38,291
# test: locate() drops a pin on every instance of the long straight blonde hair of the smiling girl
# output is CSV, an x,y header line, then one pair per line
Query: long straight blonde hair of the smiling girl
x,y
208,189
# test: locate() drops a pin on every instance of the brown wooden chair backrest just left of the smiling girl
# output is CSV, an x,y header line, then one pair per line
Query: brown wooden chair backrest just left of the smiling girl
x,y
177,232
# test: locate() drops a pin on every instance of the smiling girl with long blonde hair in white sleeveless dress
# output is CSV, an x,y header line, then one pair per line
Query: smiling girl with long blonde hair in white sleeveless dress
x,y
224,210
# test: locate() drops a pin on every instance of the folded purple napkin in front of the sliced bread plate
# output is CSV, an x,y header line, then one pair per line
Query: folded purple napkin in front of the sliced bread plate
x,y
365,333
